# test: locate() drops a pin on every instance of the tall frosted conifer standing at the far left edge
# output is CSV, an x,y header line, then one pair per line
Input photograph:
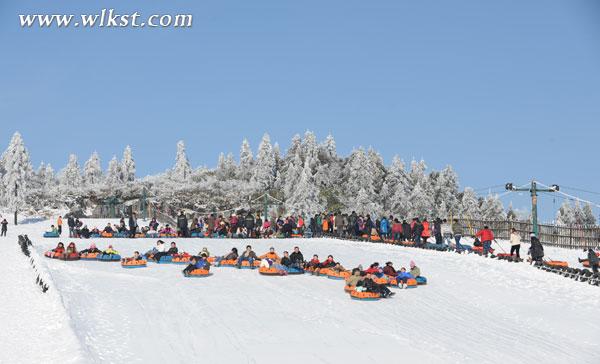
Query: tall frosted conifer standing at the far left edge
x,y
17,174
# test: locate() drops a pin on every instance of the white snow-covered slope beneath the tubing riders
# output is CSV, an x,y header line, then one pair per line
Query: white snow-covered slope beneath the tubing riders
x,y
473,310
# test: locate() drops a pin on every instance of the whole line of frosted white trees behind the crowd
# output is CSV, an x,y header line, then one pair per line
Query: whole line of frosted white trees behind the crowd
x,y
311,177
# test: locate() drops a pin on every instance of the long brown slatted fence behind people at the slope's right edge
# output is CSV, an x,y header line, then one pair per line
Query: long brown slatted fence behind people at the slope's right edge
x,y
572,237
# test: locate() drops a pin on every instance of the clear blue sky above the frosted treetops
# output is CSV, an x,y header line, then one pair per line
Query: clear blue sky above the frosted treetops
x,y
503,91
